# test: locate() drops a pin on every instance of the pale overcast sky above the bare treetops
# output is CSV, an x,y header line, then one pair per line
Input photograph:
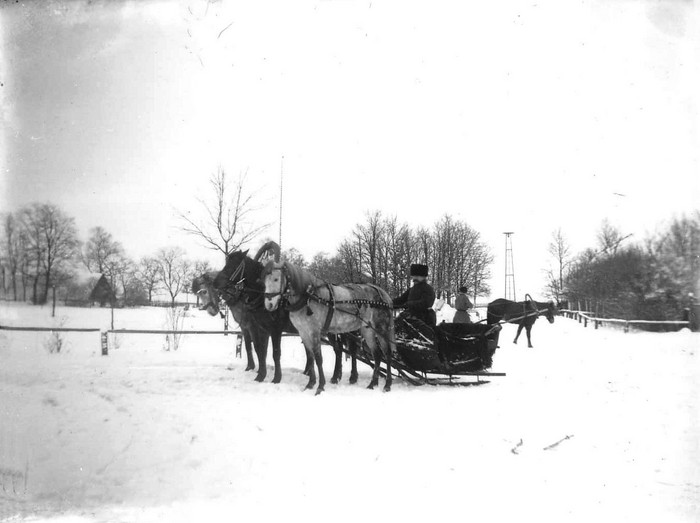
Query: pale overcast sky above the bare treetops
x,y
512,115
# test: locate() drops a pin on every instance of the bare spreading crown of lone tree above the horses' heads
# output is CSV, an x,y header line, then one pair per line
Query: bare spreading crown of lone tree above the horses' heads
x,y
227,223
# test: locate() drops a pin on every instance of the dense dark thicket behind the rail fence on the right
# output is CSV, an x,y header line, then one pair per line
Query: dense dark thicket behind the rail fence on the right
x,y
648,279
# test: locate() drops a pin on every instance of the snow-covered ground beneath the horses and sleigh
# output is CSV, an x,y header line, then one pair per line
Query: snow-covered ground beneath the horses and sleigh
x,y
150,435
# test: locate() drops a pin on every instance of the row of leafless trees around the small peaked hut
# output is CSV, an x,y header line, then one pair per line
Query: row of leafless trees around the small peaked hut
x,y
41,251
